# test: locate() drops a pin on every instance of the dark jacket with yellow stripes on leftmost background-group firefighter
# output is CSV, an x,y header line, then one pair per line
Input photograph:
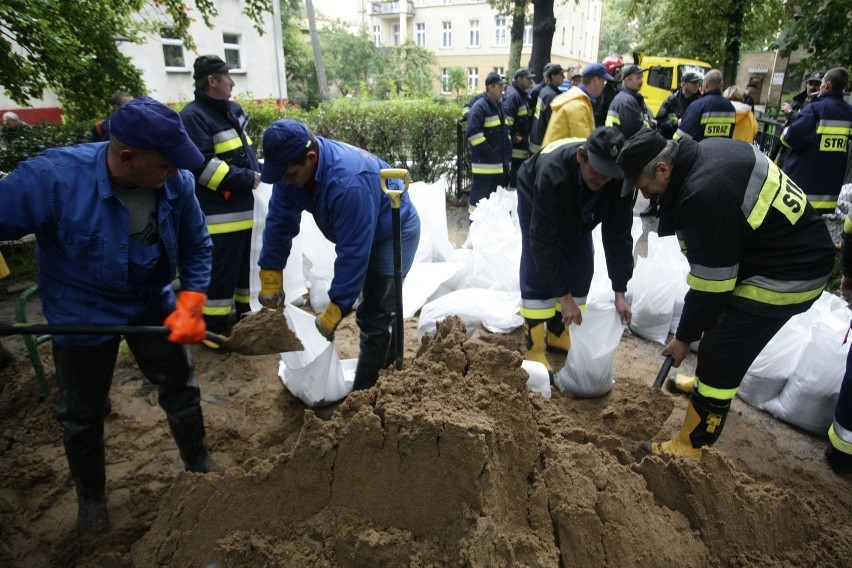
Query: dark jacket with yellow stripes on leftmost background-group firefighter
x,y
488,137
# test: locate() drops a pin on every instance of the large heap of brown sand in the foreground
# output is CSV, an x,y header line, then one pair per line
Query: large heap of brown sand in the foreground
x,y
453,462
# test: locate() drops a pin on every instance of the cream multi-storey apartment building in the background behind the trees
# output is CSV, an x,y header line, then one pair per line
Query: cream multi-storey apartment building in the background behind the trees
x,y
470,34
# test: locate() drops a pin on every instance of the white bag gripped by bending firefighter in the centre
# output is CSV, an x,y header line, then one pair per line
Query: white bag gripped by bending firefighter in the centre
x,y
588,369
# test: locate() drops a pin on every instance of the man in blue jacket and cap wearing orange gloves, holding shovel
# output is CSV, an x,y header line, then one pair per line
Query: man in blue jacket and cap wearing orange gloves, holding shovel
x,y
115,223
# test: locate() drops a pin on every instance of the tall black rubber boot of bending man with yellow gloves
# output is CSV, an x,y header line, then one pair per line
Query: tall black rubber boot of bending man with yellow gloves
x,y
374,317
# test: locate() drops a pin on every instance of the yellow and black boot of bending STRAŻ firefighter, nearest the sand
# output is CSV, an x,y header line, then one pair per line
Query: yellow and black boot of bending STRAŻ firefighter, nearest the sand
x,y
702,426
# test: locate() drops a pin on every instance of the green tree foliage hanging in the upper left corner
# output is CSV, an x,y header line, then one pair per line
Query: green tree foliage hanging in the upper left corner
x,y
71,47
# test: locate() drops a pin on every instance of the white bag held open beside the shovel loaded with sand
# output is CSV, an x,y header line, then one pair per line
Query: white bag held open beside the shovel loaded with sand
x,y
314,376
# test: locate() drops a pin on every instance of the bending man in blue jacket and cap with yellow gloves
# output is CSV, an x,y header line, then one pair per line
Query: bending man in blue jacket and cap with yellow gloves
x,y
340,186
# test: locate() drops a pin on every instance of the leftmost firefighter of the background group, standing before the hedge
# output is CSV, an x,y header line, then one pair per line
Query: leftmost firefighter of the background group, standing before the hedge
x,y
488,136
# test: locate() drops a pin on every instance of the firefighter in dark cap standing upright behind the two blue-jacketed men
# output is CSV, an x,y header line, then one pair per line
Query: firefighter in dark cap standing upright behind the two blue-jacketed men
x,y
224,187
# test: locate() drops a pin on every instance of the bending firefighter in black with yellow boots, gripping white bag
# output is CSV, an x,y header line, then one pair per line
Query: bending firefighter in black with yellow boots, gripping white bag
x,y
564,192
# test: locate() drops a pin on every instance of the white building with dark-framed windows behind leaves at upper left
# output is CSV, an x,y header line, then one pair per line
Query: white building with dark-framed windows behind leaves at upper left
x,y
166,64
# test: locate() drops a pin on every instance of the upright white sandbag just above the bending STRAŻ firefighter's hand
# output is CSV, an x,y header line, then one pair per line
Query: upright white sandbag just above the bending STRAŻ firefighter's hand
x,y
653,288
